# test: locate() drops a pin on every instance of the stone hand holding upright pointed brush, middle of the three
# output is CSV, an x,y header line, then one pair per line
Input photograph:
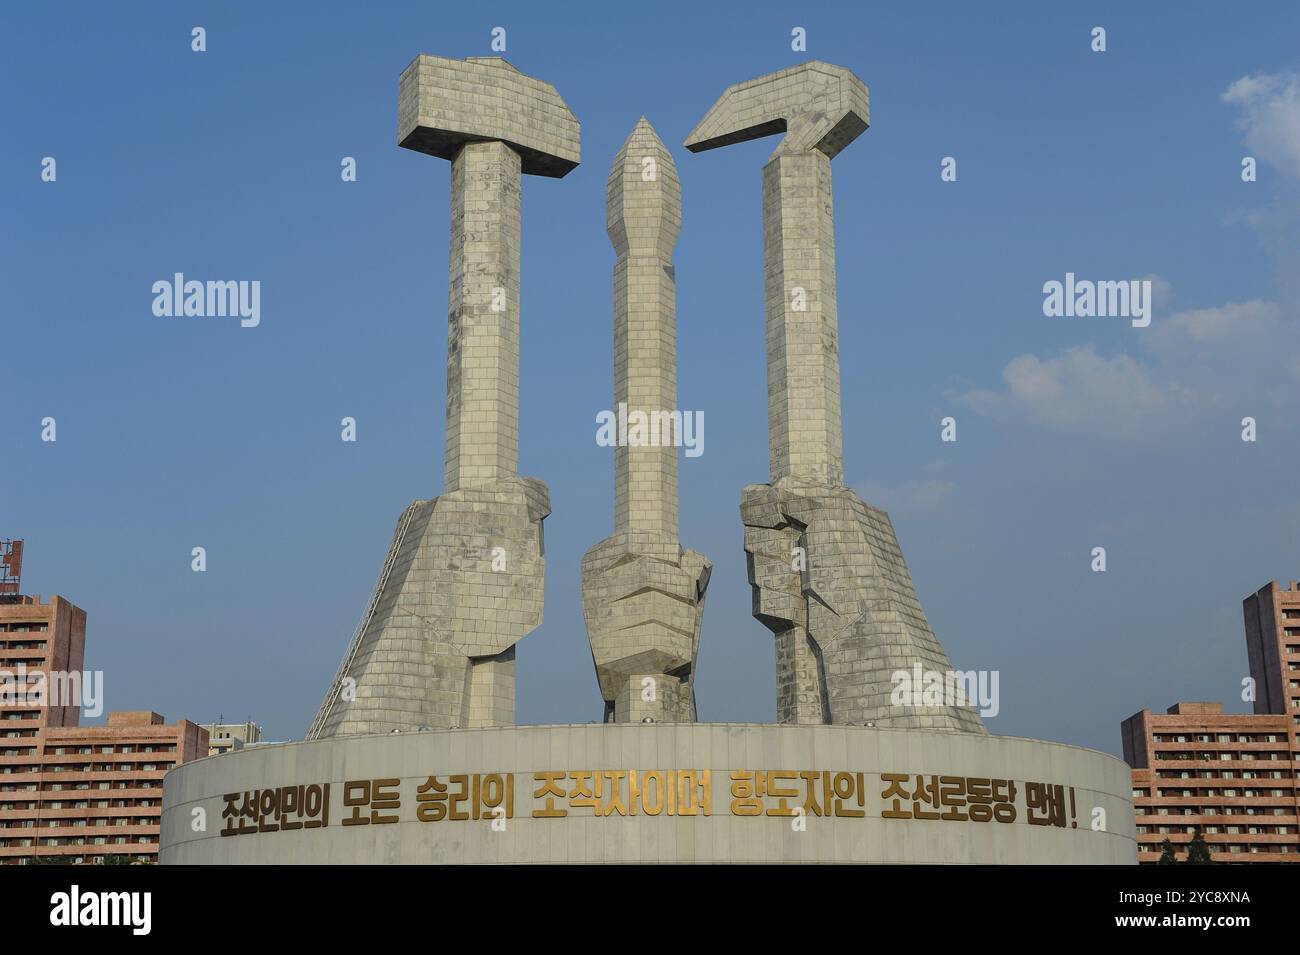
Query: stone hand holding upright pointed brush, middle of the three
x,y
643,594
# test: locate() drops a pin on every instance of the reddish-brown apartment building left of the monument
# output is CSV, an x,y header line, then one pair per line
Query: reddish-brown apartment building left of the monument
x,y
70,791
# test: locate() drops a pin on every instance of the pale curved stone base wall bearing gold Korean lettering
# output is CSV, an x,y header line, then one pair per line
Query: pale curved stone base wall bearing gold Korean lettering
x,y
1099,782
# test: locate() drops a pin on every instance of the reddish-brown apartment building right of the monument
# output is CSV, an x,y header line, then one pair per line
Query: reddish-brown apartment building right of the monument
x,y
1232,775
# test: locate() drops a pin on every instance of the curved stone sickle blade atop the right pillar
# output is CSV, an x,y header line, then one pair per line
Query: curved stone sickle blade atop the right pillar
x,y
817,106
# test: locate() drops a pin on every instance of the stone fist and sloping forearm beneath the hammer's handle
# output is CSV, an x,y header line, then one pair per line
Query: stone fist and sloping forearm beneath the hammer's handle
x,y
462,587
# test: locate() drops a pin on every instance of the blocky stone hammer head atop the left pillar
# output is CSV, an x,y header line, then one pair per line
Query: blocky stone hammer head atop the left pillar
x,y
443,105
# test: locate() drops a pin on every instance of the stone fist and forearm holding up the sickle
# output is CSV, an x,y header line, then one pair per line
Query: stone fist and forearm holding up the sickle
x,y
827,575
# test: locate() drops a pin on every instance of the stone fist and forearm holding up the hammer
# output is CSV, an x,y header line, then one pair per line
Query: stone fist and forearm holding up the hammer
x,y
463,580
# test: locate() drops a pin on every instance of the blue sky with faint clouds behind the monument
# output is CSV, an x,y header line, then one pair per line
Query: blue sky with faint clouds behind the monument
x,y
1073,433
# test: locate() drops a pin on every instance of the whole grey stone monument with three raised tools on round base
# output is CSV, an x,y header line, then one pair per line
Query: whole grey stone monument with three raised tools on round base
x,y
414,757
